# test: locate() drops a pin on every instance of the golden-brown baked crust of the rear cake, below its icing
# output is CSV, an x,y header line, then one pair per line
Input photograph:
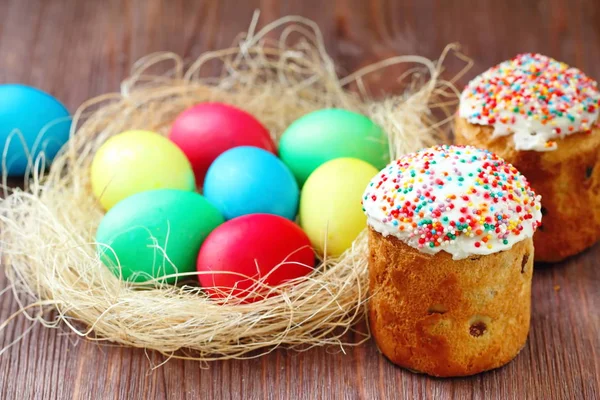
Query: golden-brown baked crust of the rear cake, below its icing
x,y
568,179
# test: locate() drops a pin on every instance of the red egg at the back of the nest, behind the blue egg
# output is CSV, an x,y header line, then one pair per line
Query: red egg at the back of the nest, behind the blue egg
x,y
206,130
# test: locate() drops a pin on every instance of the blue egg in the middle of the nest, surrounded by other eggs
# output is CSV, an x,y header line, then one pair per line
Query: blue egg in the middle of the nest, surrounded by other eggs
x,y
248,180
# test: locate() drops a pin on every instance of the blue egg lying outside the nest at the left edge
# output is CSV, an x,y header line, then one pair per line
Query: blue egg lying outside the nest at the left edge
x,y
43,122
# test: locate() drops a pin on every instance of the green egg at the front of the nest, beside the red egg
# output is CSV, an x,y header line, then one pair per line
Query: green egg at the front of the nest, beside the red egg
x,y
155,233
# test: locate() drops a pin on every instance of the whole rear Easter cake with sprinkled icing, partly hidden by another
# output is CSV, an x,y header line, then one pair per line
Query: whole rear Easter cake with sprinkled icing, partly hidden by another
x,y
541,115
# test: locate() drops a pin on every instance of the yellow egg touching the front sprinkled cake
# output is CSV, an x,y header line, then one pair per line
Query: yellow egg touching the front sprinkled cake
x,y
330,209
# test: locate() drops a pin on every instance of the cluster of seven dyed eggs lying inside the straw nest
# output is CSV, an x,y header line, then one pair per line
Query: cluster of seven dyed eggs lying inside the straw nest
x,y
242,228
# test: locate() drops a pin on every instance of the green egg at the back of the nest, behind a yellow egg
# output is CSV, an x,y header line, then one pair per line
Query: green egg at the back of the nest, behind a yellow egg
x,y
327,134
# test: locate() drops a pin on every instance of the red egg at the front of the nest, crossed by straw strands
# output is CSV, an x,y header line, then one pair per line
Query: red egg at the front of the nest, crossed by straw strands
x,y
253,247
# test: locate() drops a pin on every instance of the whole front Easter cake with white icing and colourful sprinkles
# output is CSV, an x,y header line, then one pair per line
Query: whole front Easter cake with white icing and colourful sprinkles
x,y
450,260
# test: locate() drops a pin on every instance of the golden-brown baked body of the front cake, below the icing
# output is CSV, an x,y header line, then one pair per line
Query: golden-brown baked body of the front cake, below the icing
x,y
446,317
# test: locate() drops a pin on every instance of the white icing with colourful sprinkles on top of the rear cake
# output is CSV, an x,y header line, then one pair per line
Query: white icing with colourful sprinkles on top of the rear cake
x,y
533,97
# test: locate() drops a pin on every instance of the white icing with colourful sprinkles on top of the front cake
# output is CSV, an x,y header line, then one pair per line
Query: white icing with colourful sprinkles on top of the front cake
x,y
462,200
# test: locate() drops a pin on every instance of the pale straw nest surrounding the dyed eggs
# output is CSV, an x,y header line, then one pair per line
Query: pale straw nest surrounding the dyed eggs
x,y
48,227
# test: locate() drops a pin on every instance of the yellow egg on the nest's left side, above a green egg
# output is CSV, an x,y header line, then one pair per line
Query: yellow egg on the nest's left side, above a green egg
x,y
136,161
